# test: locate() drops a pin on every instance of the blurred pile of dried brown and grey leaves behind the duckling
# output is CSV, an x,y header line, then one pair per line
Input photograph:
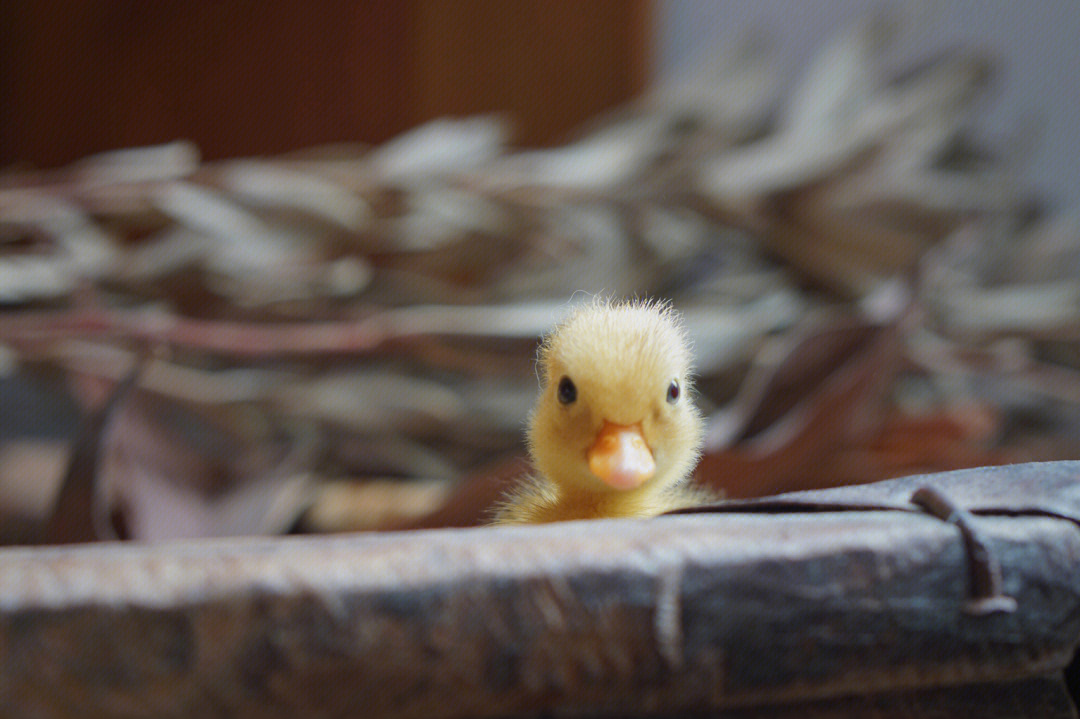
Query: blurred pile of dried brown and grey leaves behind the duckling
x,y
343,338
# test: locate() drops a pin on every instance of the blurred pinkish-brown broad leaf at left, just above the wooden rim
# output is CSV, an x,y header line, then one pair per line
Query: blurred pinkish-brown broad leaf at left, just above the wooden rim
x,y
171,470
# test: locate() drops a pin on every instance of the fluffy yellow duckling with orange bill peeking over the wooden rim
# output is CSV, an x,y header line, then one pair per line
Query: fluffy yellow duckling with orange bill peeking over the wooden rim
x,y
614,432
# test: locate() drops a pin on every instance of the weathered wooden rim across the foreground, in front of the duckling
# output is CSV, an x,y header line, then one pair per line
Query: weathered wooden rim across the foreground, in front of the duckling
x,y
663,617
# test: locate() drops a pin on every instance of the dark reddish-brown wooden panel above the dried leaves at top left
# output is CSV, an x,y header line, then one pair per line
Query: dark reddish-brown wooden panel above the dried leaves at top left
x,y
246,78
